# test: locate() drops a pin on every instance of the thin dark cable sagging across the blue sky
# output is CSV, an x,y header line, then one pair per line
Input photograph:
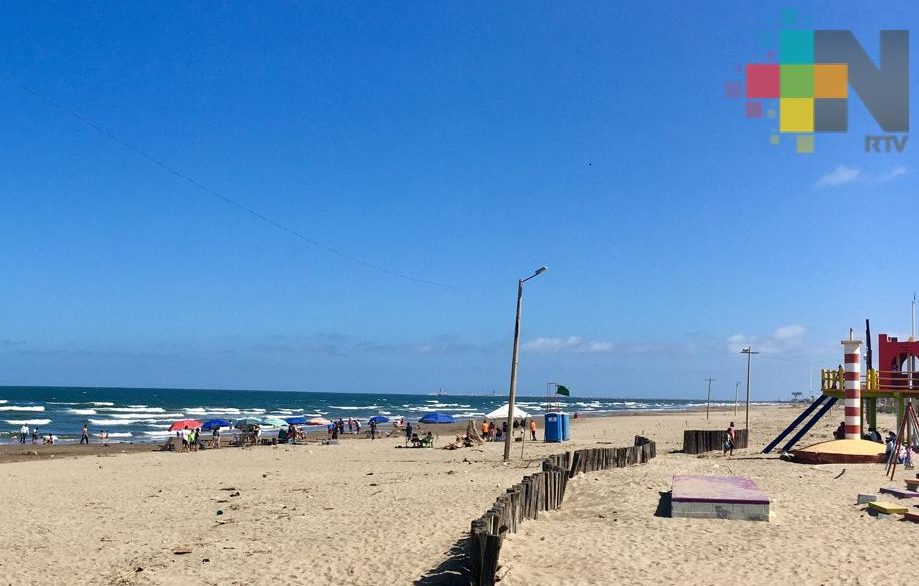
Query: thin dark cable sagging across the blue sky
x,y
212,192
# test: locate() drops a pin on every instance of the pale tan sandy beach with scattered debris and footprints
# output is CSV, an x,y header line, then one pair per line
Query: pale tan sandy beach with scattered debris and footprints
x,y
371,512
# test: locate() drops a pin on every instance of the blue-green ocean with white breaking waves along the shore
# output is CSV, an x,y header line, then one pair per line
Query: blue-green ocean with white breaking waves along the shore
x,y
144,415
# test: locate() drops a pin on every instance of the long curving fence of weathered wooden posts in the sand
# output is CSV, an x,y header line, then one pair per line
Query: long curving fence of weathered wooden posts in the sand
x,y
542,491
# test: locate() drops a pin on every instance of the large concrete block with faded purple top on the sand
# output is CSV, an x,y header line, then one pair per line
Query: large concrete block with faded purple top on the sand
x,y
718,497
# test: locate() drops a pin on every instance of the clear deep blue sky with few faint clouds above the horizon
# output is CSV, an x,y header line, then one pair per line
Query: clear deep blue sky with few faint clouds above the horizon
x,y
460,143
